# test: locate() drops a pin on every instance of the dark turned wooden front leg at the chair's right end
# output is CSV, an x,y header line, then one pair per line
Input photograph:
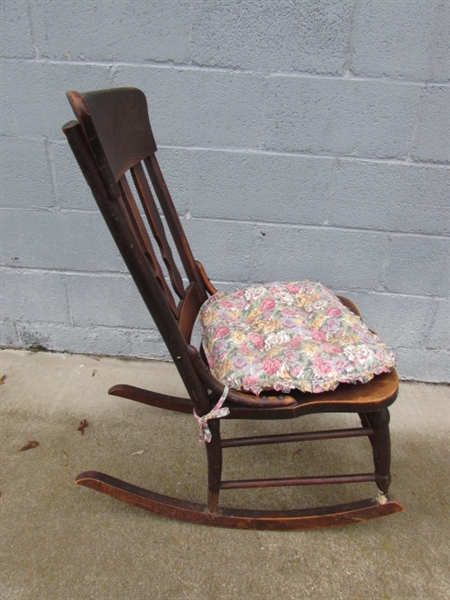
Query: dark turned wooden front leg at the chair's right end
x,y
381,448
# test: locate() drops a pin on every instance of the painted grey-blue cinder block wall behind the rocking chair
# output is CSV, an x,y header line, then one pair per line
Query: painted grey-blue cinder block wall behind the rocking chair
x,y
300,139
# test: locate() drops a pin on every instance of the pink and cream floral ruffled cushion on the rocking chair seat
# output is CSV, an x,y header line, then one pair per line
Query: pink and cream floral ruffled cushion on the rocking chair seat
x,y
285,336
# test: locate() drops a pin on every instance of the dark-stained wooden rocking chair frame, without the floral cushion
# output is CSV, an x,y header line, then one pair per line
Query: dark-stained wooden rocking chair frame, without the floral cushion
x,y
113,143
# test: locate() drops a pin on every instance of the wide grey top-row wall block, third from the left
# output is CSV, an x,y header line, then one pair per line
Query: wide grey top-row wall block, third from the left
x,y
272,36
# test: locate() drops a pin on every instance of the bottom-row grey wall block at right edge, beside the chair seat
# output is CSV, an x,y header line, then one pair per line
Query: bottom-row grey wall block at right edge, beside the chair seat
x,y
420,364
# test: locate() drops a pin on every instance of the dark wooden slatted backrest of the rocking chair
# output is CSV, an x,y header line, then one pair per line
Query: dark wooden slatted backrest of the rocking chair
x,y
113,143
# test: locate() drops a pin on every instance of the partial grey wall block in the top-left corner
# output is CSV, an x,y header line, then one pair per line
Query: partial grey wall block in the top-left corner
x,y
15,31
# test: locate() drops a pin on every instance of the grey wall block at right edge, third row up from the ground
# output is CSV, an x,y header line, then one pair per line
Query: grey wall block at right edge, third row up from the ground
x,y
417,265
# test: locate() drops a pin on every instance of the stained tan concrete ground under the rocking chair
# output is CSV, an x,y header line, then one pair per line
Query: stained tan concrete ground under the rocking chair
x,y
60,541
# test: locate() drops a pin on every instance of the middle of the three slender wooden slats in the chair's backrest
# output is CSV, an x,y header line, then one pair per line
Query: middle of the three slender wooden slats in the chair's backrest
x,y
157,227
